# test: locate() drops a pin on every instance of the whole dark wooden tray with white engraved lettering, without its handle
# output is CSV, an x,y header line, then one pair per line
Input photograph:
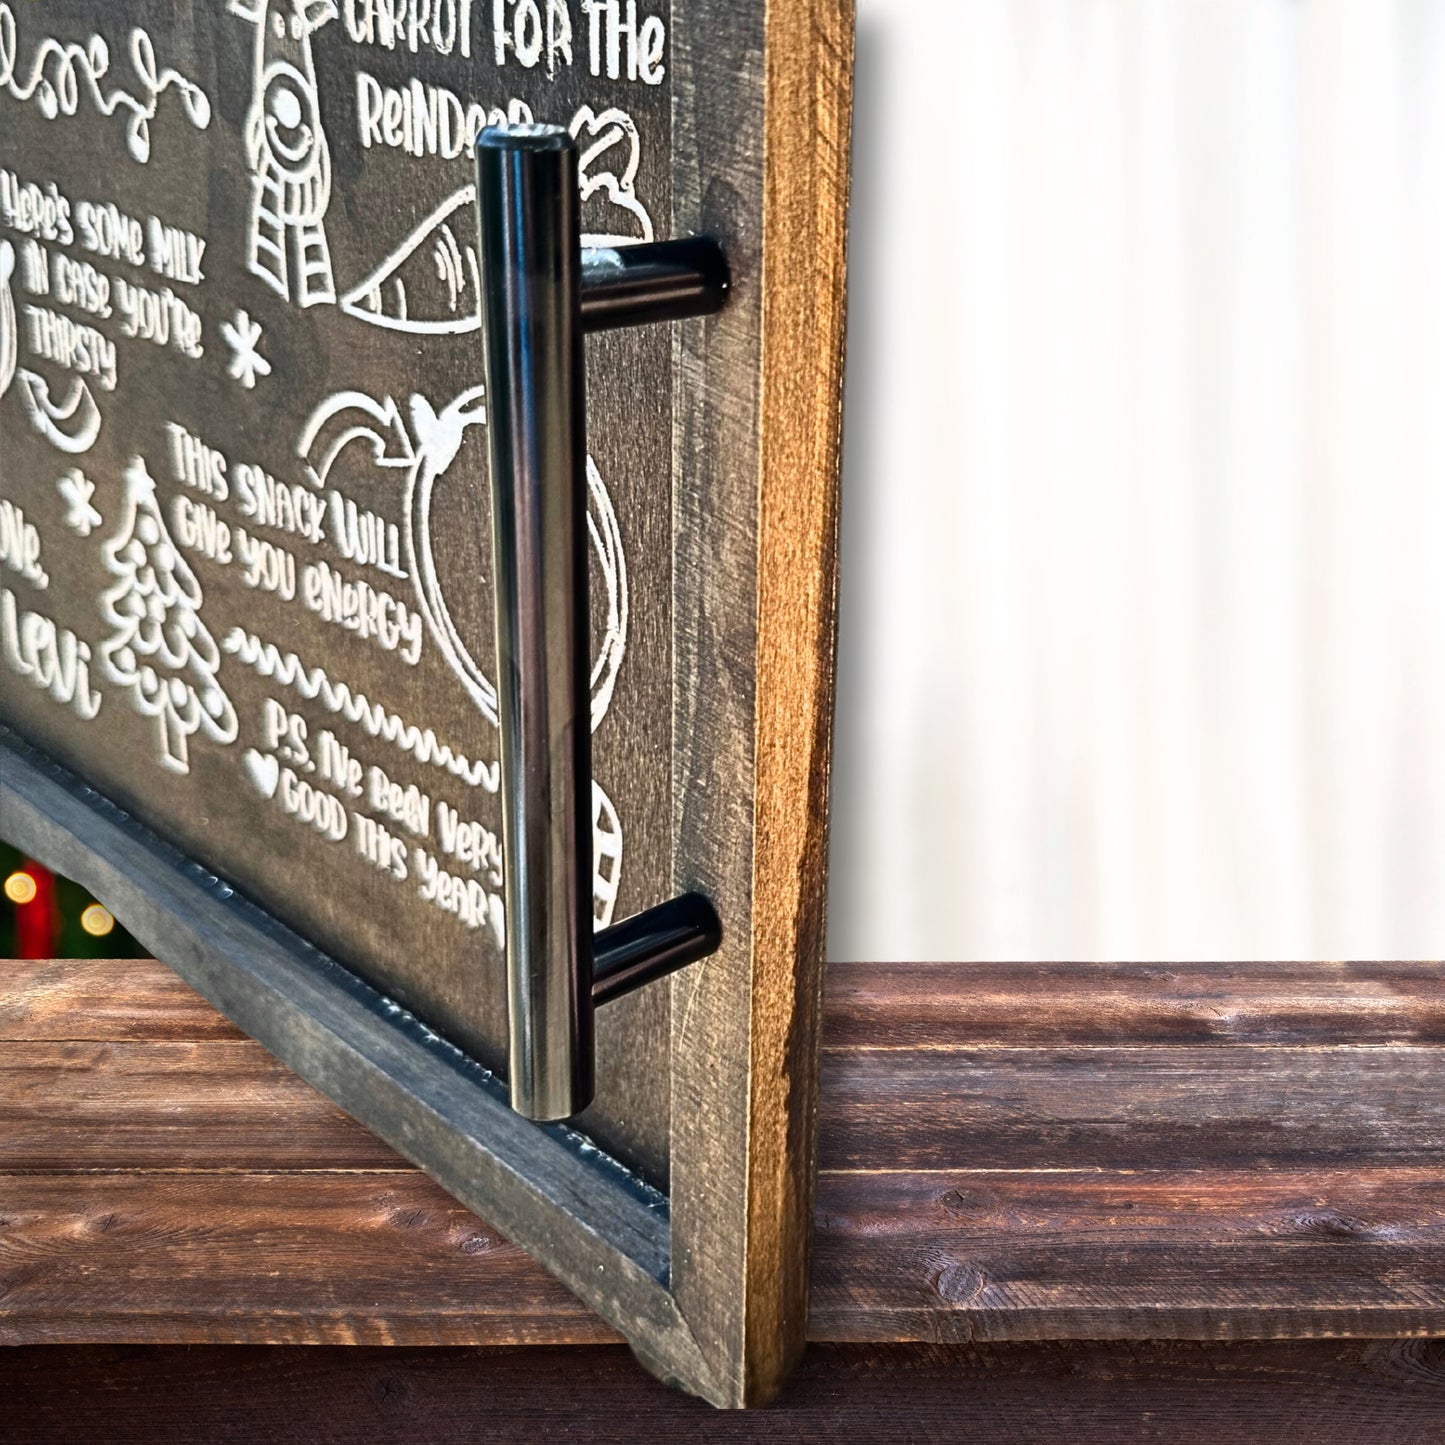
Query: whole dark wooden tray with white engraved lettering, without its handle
x,y
245,556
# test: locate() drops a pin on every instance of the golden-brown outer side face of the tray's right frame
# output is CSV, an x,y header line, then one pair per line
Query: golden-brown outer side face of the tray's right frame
x,y
806,194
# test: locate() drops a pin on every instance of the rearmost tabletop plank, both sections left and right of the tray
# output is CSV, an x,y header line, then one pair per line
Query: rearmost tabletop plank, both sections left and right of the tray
x,y
874,1006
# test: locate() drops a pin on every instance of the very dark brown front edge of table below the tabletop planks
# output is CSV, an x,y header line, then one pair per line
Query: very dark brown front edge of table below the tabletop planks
x,y
1313,1394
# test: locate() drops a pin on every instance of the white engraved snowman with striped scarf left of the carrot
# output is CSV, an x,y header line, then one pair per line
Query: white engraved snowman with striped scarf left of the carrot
x,y
288,154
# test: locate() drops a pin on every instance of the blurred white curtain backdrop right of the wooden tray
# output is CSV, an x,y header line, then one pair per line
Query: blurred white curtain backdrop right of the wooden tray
x,y
1144,538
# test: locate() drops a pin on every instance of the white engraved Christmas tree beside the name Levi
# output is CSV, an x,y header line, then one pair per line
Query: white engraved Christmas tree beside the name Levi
x,y
161,650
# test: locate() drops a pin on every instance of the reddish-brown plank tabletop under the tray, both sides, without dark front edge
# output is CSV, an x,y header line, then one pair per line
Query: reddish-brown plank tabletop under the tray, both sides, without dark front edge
x,y
1008,1154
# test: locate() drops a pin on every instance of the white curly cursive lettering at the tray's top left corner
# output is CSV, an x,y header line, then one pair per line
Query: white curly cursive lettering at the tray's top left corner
x,y
60,93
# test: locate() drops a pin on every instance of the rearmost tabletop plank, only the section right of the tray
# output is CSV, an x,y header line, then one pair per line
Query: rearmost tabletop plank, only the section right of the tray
x,y
954,1005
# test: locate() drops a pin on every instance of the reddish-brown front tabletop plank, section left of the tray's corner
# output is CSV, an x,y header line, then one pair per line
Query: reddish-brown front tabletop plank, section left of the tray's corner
x,y
368,1258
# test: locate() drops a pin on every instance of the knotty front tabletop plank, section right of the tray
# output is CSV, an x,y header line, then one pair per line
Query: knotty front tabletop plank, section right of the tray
x,y
978,1255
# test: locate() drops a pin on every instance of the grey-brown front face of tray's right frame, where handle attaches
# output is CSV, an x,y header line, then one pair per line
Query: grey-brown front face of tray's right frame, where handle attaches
x,y
717,131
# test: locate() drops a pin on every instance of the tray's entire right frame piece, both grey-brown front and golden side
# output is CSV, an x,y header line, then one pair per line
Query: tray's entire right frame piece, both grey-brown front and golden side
x,y
765,379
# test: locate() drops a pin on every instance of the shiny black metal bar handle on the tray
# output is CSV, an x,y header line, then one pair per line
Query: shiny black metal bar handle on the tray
x,y
538,297
